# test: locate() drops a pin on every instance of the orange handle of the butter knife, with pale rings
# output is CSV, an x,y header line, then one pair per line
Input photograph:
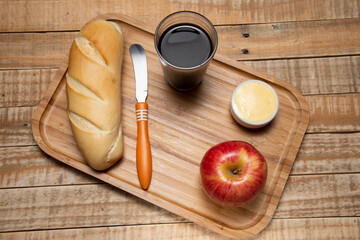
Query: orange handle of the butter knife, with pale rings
x,y
143,150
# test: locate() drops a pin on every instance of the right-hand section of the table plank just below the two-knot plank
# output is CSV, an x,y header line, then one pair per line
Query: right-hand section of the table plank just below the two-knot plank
x,y
329,75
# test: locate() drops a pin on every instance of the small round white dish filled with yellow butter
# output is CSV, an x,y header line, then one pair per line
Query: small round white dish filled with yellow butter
x,y
254,104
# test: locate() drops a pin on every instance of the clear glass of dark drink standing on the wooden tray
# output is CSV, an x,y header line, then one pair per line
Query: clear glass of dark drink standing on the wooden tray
x,y
179,75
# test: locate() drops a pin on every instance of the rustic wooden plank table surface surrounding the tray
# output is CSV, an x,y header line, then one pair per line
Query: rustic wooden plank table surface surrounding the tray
x,y
314,45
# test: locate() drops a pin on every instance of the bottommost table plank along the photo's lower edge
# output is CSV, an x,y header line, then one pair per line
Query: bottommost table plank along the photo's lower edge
x,y
313,228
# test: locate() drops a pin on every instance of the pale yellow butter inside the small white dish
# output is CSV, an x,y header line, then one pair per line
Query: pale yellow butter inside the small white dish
x,y
255,101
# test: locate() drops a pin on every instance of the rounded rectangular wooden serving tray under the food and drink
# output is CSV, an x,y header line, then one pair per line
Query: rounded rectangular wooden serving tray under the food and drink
x,y
182,127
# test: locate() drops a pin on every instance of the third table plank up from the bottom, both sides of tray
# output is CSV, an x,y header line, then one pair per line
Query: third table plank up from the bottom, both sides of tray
x,y
318,154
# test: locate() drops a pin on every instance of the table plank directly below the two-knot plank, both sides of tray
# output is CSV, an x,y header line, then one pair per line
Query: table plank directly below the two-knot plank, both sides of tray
x,y
310,75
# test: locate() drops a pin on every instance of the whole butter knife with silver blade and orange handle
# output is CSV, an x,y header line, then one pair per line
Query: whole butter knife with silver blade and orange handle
x,y
143,149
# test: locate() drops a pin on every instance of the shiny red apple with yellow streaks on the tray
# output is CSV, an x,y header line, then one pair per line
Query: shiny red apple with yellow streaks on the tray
x,y
233,173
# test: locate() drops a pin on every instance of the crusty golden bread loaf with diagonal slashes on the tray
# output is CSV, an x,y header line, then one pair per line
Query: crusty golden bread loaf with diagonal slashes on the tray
x,y
94,93
